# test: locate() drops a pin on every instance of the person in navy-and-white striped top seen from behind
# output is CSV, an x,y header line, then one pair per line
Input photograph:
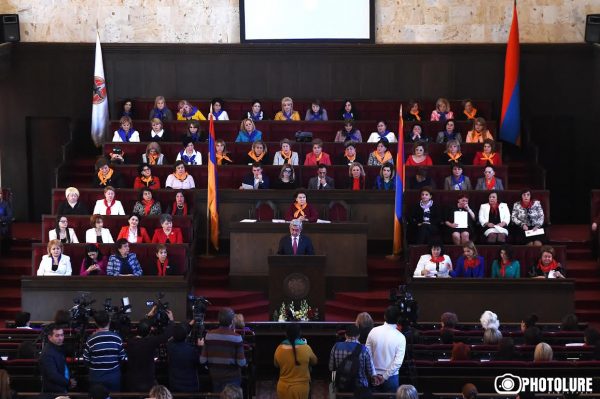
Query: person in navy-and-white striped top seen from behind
x,y
103,352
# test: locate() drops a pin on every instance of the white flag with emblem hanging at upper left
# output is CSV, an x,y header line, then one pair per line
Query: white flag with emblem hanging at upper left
x,y
100,99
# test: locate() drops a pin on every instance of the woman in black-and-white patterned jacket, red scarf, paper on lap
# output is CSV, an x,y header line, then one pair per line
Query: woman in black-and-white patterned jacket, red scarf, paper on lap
x,y
527,215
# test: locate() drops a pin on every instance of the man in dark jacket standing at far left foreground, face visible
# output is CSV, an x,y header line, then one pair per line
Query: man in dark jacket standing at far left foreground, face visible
x,y
53,364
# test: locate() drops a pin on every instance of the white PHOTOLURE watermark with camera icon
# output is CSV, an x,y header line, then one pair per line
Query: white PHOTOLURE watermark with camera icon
x,y
510,384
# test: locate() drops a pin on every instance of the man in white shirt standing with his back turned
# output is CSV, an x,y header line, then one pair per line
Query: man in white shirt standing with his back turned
x,y
387,346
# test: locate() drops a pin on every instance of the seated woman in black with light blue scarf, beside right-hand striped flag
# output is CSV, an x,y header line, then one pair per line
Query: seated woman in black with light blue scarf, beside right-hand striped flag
x,y
425,217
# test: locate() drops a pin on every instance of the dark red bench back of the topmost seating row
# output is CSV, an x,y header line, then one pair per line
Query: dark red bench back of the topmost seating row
x,y
368,110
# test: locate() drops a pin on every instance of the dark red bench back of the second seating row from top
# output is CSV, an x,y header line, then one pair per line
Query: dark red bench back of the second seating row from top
x,y
278,130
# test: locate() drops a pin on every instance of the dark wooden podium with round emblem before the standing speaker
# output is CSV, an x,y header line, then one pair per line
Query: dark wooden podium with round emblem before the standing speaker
x,y
294,278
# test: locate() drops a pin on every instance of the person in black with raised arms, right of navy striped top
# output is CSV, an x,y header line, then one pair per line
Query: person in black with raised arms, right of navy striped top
x,y
141,348
